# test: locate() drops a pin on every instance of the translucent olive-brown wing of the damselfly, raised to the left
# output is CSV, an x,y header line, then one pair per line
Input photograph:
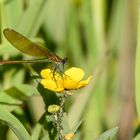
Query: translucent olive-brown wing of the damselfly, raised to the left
x,y
25,45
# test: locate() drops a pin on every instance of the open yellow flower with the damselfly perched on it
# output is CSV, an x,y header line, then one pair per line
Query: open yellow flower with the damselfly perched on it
x,y
70,80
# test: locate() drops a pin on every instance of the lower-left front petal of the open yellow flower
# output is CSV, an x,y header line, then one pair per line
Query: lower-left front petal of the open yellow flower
x,y
52,85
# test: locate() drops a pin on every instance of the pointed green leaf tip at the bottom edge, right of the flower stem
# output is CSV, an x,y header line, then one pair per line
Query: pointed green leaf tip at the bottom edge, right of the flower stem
x,y
109,134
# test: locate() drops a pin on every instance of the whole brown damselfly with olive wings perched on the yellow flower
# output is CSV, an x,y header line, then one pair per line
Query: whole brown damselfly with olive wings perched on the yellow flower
x,y
26,46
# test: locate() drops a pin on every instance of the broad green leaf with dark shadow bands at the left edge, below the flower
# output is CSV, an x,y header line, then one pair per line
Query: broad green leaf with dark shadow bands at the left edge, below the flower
x,y
13,97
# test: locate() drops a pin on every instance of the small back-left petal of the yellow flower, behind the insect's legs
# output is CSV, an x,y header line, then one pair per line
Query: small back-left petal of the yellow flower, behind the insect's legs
x,y
49,75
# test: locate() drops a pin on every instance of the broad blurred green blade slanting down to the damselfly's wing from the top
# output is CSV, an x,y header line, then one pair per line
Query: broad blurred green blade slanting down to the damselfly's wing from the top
x,y
31,14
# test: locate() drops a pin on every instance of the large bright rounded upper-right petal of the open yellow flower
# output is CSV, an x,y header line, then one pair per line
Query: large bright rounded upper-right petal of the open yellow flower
x,y
74,73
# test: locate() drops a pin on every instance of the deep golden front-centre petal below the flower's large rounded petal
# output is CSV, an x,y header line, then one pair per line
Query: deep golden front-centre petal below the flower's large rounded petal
x,y
68,83
